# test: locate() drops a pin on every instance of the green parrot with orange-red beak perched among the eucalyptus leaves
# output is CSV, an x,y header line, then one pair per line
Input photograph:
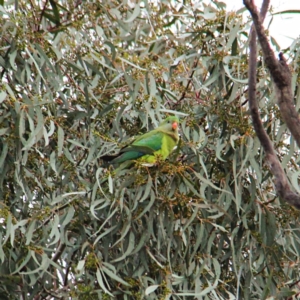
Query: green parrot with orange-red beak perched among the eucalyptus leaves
x,y
148,147
